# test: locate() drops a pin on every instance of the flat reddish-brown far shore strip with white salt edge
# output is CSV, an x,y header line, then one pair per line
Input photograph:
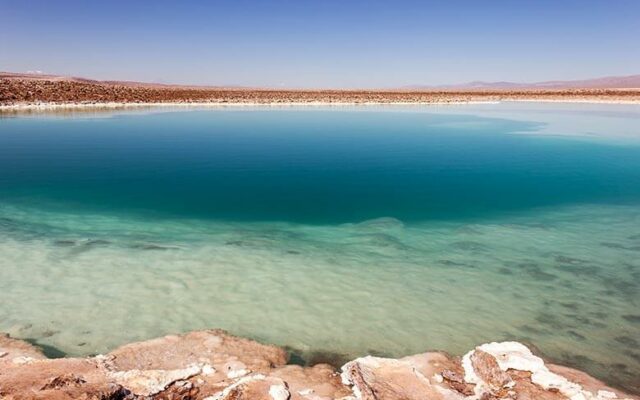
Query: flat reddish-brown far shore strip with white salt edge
x,y
20,92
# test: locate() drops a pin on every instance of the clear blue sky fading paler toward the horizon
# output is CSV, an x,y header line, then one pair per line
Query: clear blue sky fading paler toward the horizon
x,y
322,43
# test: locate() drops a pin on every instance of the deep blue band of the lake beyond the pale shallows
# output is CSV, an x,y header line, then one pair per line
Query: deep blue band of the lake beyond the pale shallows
x,y
316,167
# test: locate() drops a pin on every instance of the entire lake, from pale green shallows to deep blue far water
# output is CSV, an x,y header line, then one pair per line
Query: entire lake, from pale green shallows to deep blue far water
x,y
336,232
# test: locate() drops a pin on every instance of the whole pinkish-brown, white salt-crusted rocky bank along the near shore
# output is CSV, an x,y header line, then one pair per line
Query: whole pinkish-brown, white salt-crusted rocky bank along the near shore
x,y
213,365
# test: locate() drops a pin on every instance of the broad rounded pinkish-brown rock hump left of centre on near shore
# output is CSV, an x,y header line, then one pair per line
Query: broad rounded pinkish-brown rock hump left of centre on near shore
x,y
213,358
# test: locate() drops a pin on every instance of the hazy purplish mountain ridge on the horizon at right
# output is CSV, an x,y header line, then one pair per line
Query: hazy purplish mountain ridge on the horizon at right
x,y
609,82
